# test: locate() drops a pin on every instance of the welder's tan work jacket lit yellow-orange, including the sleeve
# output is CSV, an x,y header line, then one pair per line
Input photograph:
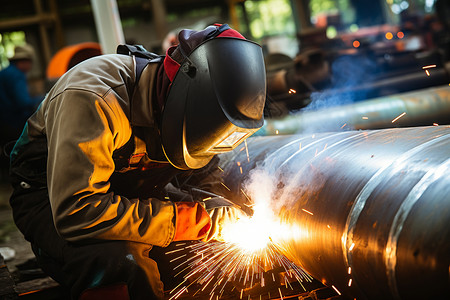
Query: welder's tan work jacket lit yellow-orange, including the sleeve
x,y
94,112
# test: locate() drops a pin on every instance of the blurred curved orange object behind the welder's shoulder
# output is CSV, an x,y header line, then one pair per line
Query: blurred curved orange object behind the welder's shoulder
x,y
69,56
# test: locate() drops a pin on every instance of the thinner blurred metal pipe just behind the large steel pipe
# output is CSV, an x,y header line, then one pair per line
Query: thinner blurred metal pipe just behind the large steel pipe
x,y
422,108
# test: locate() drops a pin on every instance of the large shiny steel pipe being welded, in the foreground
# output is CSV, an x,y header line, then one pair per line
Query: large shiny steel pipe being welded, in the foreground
x,y
371,208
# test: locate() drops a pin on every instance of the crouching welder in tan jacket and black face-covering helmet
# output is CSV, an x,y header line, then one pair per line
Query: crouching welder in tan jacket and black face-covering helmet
x,y
92,169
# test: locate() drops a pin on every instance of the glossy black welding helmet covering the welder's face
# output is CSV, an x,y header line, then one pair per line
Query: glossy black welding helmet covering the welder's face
x,y
215,101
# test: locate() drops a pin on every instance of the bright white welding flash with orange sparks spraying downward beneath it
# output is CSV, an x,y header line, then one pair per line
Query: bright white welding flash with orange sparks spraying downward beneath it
x,y
250,246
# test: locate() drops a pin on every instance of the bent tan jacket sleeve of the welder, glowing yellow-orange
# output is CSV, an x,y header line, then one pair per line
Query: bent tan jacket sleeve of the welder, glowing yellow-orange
x,y
83,130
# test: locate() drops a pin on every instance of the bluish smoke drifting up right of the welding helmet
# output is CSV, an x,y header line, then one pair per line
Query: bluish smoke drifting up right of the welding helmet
x,y
330,110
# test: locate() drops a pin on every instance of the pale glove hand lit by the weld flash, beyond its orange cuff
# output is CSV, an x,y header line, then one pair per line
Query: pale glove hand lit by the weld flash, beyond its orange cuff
x,y
221,211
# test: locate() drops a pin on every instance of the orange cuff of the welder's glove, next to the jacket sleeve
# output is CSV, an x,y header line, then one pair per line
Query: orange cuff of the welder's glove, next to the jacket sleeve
x,y
192,221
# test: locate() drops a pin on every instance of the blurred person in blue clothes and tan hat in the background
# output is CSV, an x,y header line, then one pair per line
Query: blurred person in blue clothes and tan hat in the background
x,y
15,100
